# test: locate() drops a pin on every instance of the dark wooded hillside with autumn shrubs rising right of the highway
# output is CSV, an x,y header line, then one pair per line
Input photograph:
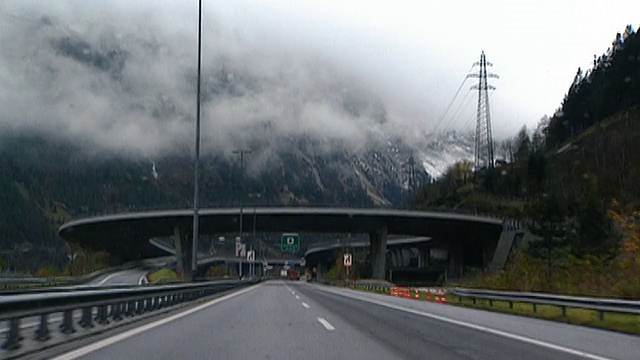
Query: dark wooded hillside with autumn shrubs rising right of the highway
x,y
573,182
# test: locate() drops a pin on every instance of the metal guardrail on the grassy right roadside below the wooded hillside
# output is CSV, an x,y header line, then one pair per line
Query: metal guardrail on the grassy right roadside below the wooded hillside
x,y
597,304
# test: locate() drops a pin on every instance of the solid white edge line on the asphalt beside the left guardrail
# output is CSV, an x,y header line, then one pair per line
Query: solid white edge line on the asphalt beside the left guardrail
x,y
122,336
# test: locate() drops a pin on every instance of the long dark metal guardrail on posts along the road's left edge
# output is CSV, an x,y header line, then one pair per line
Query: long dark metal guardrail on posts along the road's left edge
x,y
111,304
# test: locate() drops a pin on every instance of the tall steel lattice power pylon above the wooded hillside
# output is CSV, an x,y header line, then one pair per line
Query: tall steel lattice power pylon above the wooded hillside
x,y
484,138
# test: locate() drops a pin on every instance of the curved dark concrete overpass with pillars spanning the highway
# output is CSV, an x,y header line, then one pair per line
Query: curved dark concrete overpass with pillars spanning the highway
x,y
467,239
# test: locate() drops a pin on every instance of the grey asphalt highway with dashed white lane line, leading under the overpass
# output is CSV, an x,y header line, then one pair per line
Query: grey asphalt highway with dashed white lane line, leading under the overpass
x,y
287,320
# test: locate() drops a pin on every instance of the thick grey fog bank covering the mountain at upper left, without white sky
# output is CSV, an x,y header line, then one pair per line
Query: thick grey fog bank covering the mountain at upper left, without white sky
x,y
122,79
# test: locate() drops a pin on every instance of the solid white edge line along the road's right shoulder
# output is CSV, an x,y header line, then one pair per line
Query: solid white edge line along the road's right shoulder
x,y
525,339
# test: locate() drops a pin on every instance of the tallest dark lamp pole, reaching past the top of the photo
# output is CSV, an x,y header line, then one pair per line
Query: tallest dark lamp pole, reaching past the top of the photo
x,y
196,166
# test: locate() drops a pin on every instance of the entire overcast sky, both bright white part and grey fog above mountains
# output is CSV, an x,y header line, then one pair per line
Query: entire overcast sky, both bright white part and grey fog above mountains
x,y
403,59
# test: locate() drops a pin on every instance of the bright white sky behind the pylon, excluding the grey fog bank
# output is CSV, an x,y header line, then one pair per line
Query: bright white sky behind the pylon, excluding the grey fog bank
x,y
420,51
